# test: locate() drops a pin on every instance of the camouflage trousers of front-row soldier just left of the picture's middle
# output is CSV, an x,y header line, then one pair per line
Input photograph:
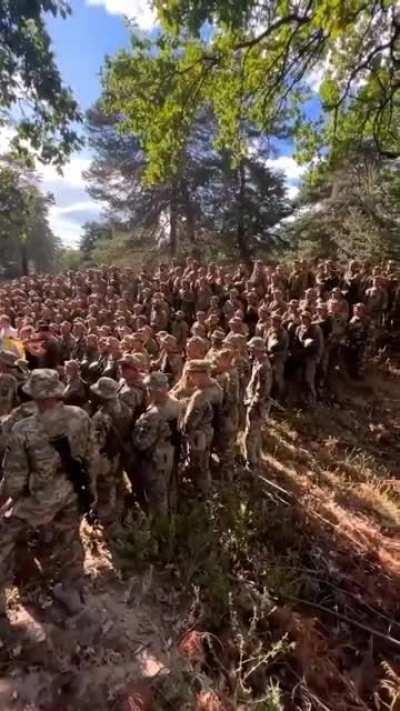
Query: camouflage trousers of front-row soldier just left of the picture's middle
x,y
156,476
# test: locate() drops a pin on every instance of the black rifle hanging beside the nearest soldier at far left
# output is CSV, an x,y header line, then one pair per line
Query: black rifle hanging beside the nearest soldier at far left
x,y
77,473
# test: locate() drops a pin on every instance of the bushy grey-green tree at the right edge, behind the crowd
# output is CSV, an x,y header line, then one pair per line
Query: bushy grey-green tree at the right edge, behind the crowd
x,y
351,211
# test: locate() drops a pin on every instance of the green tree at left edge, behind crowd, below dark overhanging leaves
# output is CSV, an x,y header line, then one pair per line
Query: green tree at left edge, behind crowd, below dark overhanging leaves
x,y
25,236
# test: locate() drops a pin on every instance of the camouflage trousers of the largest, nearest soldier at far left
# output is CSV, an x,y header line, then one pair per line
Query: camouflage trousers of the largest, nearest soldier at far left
x,y
62,534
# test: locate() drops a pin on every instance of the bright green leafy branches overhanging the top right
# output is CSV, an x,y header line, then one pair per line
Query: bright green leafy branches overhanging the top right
x,y
255,63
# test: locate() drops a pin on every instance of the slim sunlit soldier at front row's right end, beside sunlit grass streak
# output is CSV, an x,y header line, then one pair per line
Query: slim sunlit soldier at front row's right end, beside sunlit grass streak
x,y
257,401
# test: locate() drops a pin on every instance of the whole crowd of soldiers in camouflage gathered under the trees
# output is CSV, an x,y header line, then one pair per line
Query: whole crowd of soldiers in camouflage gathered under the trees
x,y
131,383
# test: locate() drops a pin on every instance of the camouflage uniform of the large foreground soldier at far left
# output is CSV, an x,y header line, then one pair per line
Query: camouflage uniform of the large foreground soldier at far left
x,y
41,495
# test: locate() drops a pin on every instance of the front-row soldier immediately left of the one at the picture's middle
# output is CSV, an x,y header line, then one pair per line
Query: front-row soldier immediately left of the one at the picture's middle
x,y
154,440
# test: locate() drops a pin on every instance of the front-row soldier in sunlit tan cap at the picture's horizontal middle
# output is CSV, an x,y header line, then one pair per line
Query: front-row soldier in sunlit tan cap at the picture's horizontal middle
x,y
203,410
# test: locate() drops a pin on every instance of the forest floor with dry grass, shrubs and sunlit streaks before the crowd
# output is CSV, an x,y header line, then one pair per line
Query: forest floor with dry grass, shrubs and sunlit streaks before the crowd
x,y
280,592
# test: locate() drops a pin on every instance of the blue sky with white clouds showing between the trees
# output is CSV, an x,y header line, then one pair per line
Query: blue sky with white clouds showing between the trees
x,y
98,28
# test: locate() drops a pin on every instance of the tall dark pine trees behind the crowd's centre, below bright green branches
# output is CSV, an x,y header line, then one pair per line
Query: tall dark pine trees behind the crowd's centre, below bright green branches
x,y
199,203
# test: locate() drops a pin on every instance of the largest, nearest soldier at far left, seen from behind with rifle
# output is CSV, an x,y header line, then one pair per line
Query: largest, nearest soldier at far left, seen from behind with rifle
x,y
47,485
